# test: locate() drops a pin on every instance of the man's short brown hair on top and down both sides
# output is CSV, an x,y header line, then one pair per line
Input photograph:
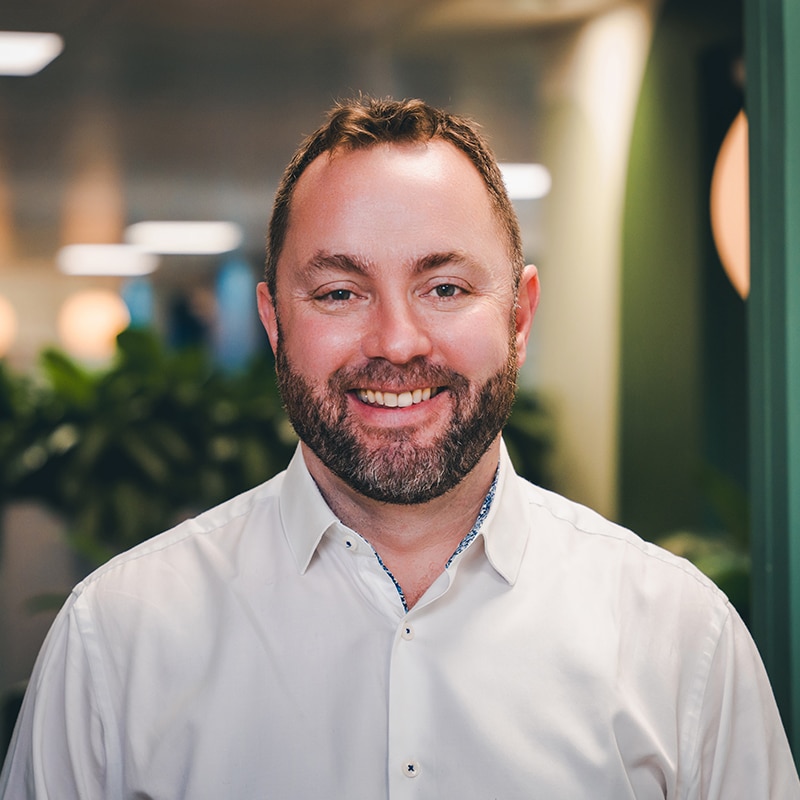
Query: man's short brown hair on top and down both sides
x,y
364,122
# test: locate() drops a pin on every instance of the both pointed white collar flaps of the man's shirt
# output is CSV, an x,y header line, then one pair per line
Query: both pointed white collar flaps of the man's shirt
x,y
306,517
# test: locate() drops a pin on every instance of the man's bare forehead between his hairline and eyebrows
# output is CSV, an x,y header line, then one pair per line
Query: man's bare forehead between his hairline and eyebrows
x,y
423,195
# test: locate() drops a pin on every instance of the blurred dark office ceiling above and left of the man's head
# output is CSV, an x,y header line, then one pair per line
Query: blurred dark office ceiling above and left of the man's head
x,y
187,109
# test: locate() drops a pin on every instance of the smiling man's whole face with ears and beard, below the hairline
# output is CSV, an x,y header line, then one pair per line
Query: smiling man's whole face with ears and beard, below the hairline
x,y
397,345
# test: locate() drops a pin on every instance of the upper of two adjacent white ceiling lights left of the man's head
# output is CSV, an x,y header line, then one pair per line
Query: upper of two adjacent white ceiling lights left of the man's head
x,y
185,238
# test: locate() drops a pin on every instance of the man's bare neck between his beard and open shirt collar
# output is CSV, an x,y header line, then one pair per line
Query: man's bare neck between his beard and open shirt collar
x,y
413,541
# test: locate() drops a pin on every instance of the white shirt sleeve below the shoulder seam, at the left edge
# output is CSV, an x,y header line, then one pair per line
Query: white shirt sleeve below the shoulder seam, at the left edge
x,y
58,750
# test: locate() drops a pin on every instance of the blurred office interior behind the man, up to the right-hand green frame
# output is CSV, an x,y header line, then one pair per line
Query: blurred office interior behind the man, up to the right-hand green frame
x,y
613,114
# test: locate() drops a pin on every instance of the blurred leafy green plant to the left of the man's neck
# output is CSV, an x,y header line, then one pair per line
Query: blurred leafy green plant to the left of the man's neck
x,y
126,452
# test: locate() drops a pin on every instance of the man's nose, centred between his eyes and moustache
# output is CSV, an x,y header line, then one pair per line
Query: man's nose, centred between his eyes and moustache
x,y
396,333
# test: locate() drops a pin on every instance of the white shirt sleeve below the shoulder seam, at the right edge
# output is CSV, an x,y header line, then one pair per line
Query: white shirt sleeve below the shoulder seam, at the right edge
x,y
743,752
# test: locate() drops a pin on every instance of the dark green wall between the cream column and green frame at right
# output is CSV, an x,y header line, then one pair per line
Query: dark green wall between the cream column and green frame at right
x,y
682,384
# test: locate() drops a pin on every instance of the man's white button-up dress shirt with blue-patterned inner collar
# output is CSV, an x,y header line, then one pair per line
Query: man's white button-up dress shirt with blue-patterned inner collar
x,y
261,651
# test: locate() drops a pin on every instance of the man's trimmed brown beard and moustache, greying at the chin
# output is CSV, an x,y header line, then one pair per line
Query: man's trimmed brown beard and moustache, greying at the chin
x,y
393,467
